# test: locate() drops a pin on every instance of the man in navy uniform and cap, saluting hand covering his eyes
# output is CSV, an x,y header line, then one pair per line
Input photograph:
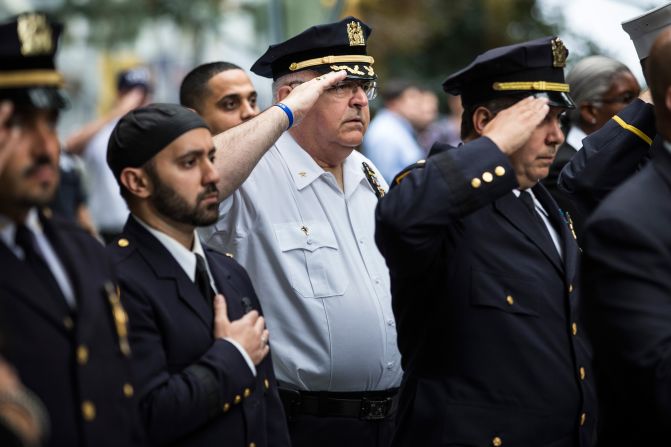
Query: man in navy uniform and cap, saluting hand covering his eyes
x,y
483,268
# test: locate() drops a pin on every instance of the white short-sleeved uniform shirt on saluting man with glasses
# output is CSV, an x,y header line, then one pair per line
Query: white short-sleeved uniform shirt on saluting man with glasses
x,y
324,287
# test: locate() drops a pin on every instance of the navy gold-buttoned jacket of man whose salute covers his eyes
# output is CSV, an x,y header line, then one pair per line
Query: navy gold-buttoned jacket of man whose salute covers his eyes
x,y
487,312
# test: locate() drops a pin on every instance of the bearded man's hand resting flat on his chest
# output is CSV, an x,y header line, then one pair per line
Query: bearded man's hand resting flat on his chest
x,y
249,331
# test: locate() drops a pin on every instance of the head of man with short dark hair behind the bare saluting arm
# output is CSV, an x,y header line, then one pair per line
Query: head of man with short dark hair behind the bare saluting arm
x,y
220,92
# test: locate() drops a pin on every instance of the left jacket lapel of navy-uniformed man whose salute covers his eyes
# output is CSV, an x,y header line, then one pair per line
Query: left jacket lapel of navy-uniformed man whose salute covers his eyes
x,y
515,212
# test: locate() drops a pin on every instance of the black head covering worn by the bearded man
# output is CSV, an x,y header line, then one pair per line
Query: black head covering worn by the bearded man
x,y
144,132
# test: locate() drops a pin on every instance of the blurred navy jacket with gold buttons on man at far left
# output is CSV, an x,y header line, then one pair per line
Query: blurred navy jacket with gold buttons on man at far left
x,y
72,360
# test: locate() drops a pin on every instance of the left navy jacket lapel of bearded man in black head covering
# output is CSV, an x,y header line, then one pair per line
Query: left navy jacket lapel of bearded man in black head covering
x,y
165,267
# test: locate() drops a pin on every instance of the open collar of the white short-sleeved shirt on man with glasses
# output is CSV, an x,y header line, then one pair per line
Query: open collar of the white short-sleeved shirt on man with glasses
x,y
305,170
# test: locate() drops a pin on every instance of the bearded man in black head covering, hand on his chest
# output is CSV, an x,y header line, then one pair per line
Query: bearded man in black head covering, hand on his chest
x,y
203,373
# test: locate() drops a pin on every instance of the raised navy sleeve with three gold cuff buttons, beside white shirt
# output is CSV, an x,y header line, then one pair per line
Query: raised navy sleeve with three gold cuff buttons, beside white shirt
x,y
411,218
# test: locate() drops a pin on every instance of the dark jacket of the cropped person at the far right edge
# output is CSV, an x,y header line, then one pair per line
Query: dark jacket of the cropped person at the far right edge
x,y
627,278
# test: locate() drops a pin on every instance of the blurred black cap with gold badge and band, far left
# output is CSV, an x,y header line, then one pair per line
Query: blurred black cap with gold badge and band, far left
x,y
28,75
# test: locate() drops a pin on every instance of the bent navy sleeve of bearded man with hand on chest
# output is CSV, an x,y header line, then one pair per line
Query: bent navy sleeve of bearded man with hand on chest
x,y
174,403
